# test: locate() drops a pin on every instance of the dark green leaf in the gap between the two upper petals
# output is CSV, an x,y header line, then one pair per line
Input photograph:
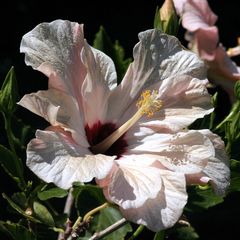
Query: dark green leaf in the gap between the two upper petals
x,y
114,51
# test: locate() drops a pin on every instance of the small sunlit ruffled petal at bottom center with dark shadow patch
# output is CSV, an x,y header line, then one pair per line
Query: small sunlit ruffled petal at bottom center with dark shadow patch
x,y
134,182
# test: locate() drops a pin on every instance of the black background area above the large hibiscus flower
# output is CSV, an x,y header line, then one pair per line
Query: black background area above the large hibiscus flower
x,y
123,20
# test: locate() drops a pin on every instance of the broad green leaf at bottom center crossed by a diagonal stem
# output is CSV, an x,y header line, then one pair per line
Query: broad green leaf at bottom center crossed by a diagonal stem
x,y
107,217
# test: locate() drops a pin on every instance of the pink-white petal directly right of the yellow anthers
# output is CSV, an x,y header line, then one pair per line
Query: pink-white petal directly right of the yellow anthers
x,y
184,100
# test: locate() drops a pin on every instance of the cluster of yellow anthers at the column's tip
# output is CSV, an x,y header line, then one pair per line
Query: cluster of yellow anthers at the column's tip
x,y
148,103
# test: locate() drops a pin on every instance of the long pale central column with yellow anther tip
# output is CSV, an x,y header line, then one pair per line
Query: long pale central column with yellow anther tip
x,y
148,104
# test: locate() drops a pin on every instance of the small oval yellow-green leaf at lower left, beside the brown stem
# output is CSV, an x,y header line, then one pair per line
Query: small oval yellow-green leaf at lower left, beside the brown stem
x,y
43,214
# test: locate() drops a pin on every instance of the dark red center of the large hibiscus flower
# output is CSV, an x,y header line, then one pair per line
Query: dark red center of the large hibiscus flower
x,y
98,132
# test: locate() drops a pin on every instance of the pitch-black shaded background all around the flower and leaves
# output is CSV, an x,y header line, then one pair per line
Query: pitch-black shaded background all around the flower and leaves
x,y
122,21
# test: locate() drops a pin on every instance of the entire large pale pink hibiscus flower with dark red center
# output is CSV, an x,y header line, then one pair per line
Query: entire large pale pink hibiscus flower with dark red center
x,y
132,138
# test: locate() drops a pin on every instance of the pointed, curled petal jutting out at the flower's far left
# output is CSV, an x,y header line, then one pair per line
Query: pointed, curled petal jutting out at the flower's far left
x,y
58,109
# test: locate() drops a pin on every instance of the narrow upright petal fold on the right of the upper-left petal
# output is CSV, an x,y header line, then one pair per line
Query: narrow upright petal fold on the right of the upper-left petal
x,y
100,78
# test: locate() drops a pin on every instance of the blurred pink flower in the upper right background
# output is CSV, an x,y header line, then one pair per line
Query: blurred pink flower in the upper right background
x,y
199,20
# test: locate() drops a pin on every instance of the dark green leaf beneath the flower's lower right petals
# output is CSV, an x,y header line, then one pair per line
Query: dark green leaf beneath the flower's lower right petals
x,y
200,199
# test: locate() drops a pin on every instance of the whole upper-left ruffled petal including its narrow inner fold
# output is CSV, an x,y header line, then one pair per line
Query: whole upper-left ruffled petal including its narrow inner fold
x,y
58,50
